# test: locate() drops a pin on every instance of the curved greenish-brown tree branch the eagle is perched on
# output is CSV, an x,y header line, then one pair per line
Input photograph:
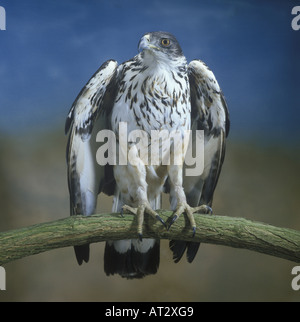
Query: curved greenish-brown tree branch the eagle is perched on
x,y
78,230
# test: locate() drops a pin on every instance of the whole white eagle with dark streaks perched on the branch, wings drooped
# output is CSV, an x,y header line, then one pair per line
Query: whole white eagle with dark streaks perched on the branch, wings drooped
x,y
155,90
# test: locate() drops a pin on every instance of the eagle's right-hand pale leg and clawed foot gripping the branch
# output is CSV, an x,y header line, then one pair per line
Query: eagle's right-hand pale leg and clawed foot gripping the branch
x,y
175,175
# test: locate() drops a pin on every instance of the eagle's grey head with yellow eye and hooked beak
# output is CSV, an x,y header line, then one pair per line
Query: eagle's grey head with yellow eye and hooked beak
x,y
162,46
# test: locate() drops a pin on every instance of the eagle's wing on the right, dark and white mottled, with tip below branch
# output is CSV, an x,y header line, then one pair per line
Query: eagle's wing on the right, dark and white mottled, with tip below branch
x,y
209,112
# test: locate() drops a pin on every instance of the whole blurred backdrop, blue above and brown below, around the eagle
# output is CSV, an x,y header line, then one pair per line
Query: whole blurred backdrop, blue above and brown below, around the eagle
x,y
49,51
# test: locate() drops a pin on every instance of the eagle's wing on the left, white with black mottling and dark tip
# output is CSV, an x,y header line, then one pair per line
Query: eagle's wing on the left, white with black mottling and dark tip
x,y
88,115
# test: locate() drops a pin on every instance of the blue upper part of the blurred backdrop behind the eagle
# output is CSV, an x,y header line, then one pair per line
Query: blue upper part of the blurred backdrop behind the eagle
x,y
51,48
